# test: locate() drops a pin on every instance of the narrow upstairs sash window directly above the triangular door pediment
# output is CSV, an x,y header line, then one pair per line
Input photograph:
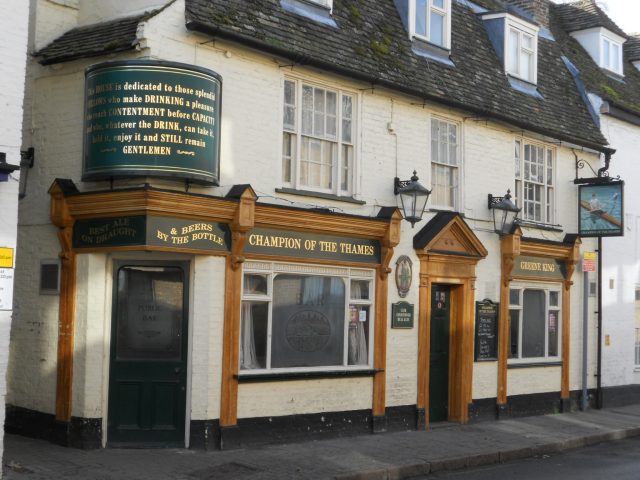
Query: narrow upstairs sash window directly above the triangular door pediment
x,y
445,164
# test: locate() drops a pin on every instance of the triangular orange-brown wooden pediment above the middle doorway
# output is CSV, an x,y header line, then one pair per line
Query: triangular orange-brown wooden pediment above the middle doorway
x,y
447,233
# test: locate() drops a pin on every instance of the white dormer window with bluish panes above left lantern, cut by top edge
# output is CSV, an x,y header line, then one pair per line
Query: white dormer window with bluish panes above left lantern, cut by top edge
x,y
430,20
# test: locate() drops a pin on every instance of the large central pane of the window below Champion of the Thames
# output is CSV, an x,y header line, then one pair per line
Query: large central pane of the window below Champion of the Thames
x,y
308,321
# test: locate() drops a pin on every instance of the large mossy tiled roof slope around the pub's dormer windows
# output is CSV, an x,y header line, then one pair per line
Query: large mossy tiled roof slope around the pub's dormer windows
x,y
371,44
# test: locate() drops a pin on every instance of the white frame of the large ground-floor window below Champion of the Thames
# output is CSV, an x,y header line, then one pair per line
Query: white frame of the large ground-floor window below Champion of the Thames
x,y
271,269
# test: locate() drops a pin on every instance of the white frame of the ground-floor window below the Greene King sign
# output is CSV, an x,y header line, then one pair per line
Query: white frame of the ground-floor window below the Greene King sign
x,y
546,287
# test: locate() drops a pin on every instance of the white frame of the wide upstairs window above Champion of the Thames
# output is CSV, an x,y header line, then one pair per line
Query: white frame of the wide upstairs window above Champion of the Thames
x,y
294,181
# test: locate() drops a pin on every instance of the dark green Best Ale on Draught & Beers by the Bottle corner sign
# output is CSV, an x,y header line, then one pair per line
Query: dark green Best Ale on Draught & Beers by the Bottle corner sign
x,y
143,230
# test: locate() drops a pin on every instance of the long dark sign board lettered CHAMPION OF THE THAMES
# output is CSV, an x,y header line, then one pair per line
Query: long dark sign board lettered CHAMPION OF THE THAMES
x,y
310,245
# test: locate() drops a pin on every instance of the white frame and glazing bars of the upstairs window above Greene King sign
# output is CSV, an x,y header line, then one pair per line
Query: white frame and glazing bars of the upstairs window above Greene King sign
x,y
548,186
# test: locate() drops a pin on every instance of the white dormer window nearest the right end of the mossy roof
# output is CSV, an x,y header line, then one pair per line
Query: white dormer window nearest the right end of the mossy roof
x,y
521,52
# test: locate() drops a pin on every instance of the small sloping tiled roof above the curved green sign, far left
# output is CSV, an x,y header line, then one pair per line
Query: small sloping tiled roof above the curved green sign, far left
x,y
94,40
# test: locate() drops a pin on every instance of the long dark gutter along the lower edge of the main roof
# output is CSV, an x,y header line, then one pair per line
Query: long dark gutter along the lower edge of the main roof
x,y
302,59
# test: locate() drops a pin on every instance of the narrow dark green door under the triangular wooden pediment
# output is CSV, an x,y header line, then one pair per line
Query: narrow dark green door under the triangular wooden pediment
x,y
439,360
